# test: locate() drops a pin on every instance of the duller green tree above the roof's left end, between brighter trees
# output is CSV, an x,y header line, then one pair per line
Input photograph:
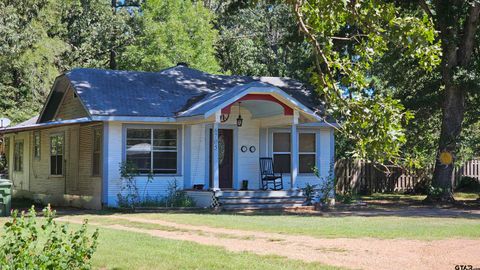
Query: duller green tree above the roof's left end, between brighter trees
x,y
92,31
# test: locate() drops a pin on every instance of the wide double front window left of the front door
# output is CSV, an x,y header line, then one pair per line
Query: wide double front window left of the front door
x,y
153,150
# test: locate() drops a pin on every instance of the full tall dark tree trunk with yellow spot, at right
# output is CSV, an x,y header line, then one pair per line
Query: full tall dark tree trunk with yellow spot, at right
x,y
457,47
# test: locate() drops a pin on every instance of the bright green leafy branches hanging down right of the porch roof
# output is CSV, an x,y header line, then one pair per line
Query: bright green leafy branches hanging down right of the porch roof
x,y
348,37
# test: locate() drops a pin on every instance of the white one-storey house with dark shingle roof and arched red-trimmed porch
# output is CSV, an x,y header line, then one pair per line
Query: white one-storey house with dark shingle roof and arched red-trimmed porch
x,y
166,123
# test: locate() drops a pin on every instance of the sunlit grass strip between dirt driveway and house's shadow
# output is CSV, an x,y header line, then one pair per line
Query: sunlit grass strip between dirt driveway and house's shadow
x,y
350,227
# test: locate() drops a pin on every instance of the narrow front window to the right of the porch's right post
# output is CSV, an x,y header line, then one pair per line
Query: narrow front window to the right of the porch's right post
x,y
306,152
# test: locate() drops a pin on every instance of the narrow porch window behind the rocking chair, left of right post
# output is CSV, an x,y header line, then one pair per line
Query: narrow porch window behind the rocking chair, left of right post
x,y
281,152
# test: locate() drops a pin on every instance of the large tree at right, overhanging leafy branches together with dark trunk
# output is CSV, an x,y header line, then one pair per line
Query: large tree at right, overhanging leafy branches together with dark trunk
x,y
438,37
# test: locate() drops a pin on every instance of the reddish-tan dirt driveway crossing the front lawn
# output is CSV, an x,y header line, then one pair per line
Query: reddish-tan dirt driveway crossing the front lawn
x,y
359,253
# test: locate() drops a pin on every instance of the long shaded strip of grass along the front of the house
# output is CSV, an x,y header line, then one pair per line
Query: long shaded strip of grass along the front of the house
x,y
377,205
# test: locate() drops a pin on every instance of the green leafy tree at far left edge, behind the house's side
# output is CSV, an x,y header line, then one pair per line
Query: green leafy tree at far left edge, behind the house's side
x,y
28,54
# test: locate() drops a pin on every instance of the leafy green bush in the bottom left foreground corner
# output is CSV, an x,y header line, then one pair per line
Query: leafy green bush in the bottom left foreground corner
x,y
25,245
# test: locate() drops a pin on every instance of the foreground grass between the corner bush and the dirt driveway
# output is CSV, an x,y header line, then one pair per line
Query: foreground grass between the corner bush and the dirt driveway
x,y
127,250
